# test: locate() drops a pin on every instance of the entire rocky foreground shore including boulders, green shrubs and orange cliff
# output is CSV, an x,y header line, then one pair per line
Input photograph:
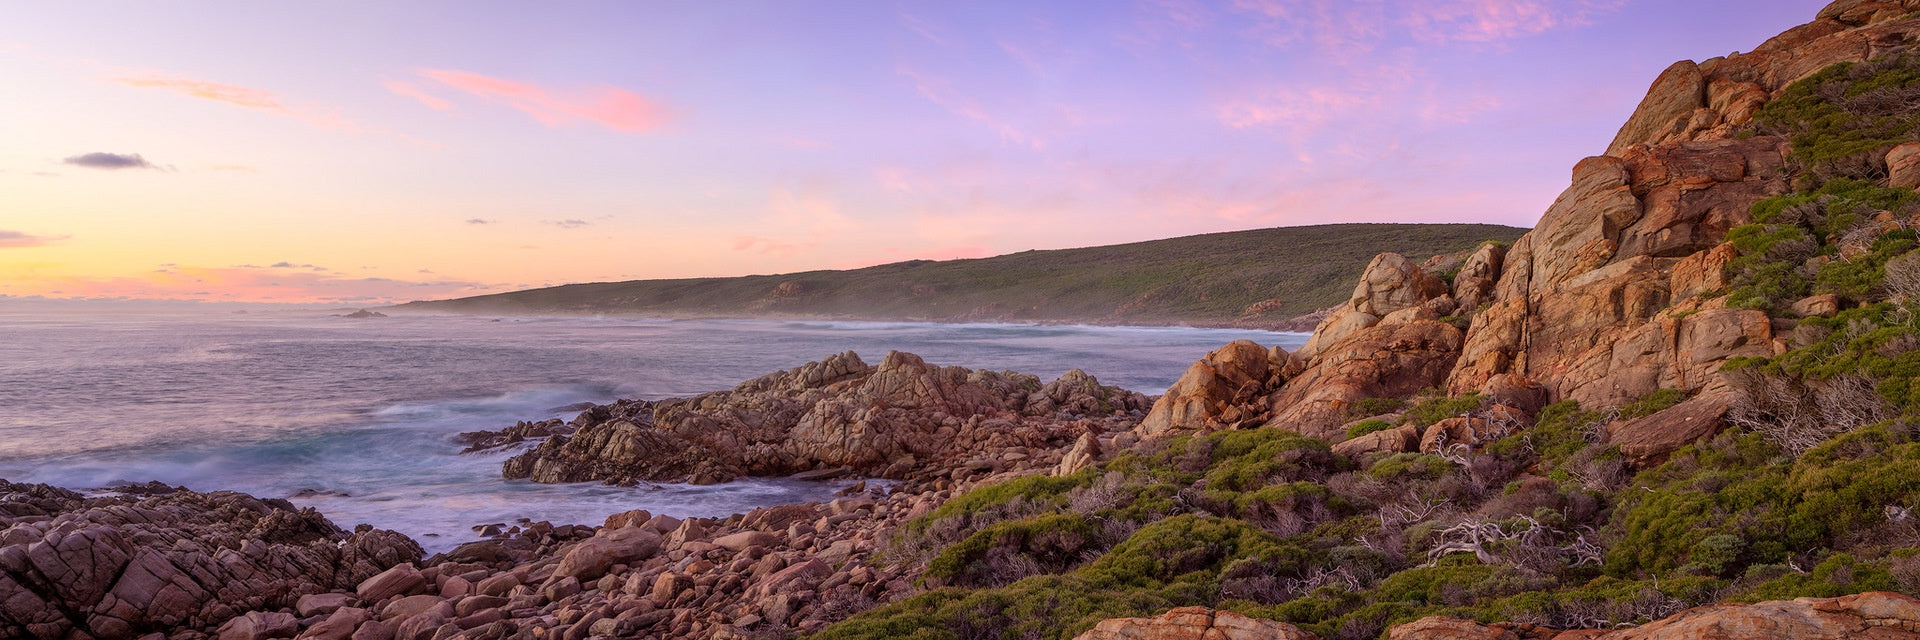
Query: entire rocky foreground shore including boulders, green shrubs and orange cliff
x,y
1685,406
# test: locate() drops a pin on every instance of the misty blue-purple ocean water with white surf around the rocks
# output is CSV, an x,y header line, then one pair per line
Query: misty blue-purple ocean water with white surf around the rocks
x,y
358,416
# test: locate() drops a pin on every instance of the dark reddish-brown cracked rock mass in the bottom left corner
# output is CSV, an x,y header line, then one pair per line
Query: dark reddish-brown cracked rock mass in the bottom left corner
x,y
170,562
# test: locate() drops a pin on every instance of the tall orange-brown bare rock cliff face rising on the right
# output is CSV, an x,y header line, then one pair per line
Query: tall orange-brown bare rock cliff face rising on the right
x,y
1620,291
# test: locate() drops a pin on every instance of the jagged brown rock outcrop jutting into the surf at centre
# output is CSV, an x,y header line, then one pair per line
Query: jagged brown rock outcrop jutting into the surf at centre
x,y
896,420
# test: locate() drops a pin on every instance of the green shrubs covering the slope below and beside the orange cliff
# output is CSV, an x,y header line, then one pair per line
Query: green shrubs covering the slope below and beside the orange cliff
x,y
1804,485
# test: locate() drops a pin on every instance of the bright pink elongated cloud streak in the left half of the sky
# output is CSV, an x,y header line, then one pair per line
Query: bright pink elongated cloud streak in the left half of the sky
x,y
608,107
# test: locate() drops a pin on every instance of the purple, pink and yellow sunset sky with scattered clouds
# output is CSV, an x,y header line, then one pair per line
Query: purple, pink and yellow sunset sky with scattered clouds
x,y
366,153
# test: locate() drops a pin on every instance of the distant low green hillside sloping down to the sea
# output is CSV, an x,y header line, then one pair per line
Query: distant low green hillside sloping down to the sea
x,y
1207,280
